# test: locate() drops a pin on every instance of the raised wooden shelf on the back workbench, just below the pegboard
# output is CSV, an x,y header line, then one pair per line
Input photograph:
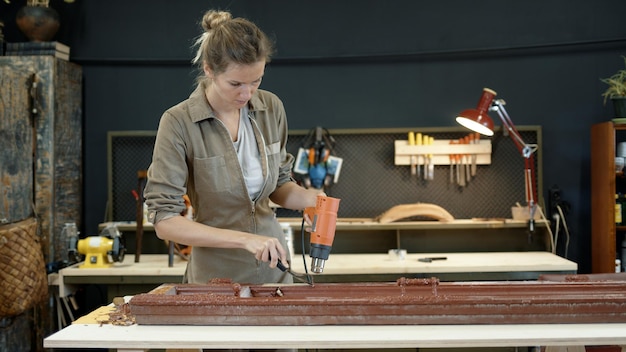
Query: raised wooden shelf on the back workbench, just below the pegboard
x,y
365,235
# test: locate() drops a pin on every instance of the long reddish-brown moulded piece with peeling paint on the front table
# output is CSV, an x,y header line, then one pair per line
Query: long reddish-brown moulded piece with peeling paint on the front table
x,y
408,301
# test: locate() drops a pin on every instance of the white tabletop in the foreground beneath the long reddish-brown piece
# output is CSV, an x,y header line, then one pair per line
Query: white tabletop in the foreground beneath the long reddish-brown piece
x,y
141,337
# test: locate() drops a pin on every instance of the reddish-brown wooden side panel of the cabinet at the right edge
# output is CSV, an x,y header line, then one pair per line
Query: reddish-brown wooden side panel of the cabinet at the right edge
x,y
604,186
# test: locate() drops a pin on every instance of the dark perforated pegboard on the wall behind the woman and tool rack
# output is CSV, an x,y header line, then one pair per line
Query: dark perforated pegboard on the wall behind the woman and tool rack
x,y
369,182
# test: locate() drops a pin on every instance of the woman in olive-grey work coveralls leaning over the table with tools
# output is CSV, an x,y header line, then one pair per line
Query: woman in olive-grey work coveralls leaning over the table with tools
x,y
225,147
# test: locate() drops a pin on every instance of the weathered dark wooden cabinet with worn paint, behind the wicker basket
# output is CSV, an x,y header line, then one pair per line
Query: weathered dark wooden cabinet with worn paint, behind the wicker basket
x,y
40,159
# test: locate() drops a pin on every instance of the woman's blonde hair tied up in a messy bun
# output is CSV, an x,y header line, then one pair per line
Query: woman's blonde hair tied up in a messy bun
x,y
228,40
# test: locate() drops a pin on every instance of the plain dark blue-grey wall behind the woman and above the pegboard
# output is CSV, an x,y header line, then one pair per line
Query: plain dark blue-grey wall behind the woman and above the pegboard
x,y
364,64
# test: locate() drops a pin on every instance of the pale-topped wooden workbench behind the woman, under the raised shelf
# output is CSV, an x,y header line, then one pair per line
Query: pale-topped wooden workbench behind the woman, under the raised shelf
x,y
129,278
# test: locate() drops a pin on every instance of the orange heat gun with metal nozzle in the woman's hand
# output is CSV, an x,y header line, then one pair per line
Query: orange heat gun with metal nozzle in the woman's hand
x,y
324,223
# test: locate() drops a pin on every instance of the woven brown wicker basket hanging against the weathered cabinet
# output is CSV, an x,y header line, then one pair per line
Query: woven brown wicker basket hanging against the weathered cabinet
x,y
23,279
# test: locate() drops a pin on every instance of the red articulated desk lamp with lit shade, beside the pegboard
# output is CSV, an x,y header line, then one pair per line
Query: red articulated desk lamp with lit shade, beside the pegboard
x,y
479,121
